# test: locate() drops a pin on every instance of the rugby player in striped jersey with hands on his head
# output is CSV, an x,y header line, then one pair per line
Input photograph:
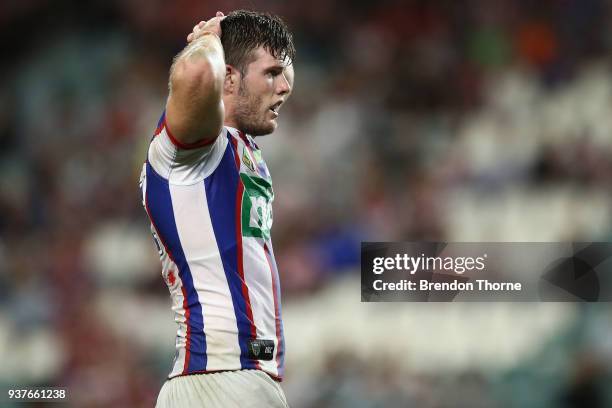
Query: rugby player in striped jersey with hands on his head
x,y
208,194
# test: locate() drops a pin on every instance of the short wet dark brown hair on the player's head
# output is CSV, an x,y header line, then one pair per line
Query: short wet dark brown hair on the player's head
x,y
243,31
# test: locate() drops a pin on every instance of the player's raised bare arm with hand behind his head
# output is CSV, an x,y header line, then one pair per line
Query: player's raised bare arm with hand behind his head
x,y
194,110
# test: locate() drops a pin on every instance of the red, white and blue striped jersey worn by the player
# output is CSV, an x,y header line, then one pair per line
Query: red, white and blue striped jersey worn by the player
x,y
210,207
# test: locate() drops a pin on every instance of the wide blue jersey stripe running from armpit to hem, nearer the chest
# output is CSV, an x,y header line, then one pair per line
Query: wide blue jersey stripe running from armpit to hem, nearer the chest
x,y
221,189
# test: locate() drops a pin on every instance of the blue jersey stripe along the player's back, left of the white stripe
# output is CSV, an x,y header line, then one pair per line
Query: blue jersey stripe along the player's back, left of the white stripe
x,y
159,204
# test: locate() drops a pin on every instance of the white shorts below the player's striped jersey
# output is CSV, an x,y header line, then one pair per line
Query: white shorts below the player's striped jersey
x,y
227,389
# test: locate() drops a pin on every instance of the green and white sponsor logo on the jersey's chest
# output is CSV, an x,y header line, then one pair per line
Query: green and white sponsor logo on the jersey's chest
x,y
256,206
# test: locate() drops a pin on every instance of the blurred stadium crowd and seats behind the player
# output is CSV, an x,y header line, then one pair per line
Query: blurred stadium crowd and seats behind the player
x,y
470,120
